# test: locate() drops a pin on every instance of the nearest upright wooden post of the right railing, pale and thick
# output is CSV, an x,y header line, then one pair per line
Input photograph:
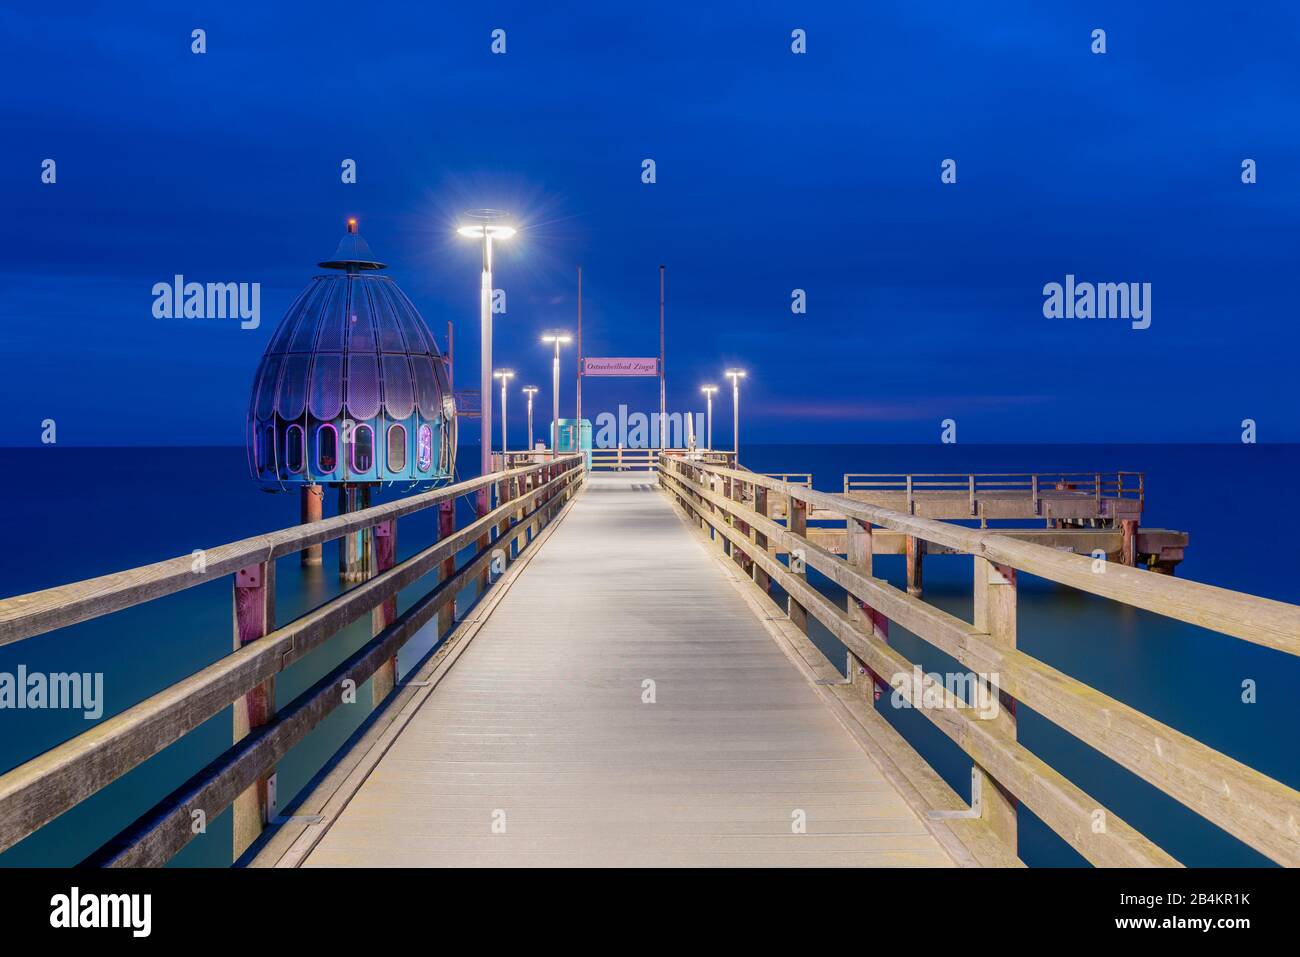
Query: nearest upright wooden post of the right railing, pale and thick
x,y
995,616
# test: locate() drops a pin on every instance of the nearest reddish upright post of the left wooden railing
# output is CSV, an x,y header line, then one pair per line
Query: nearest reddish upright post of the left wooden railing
x,y
255,617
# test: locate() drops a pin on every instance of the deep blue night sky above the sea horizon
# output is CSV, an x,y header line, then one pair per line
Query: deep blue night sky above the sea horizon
x,y
775,171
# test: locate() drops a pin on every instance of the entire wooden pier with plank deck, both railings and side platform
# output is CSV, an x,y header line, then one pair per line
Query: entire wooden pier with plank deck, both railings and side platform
x,y
636,685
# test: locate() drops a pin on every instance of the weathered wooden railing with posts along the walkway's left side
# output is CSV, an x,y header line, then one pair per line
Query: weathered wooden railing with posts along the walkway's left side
x,y
41,790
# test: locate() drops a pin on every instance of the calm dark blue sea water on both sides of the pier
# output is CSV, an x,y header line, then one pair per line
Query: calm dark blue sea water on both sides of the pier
x,y
89,512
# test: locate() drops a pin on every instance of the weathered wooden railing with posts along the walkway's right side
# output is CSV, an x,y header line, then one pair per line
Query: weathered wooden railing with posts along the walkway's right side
x,y
1260,812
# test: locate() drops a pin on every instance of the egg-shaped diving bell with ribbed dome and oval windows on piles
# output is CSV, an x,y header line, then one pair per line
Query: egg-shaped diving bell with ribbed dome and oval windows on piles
x,y
354,393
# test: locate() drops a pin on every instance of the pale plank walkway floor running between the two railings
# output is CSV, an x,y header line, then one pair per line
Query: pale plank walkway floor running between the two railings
x,y
540,744
